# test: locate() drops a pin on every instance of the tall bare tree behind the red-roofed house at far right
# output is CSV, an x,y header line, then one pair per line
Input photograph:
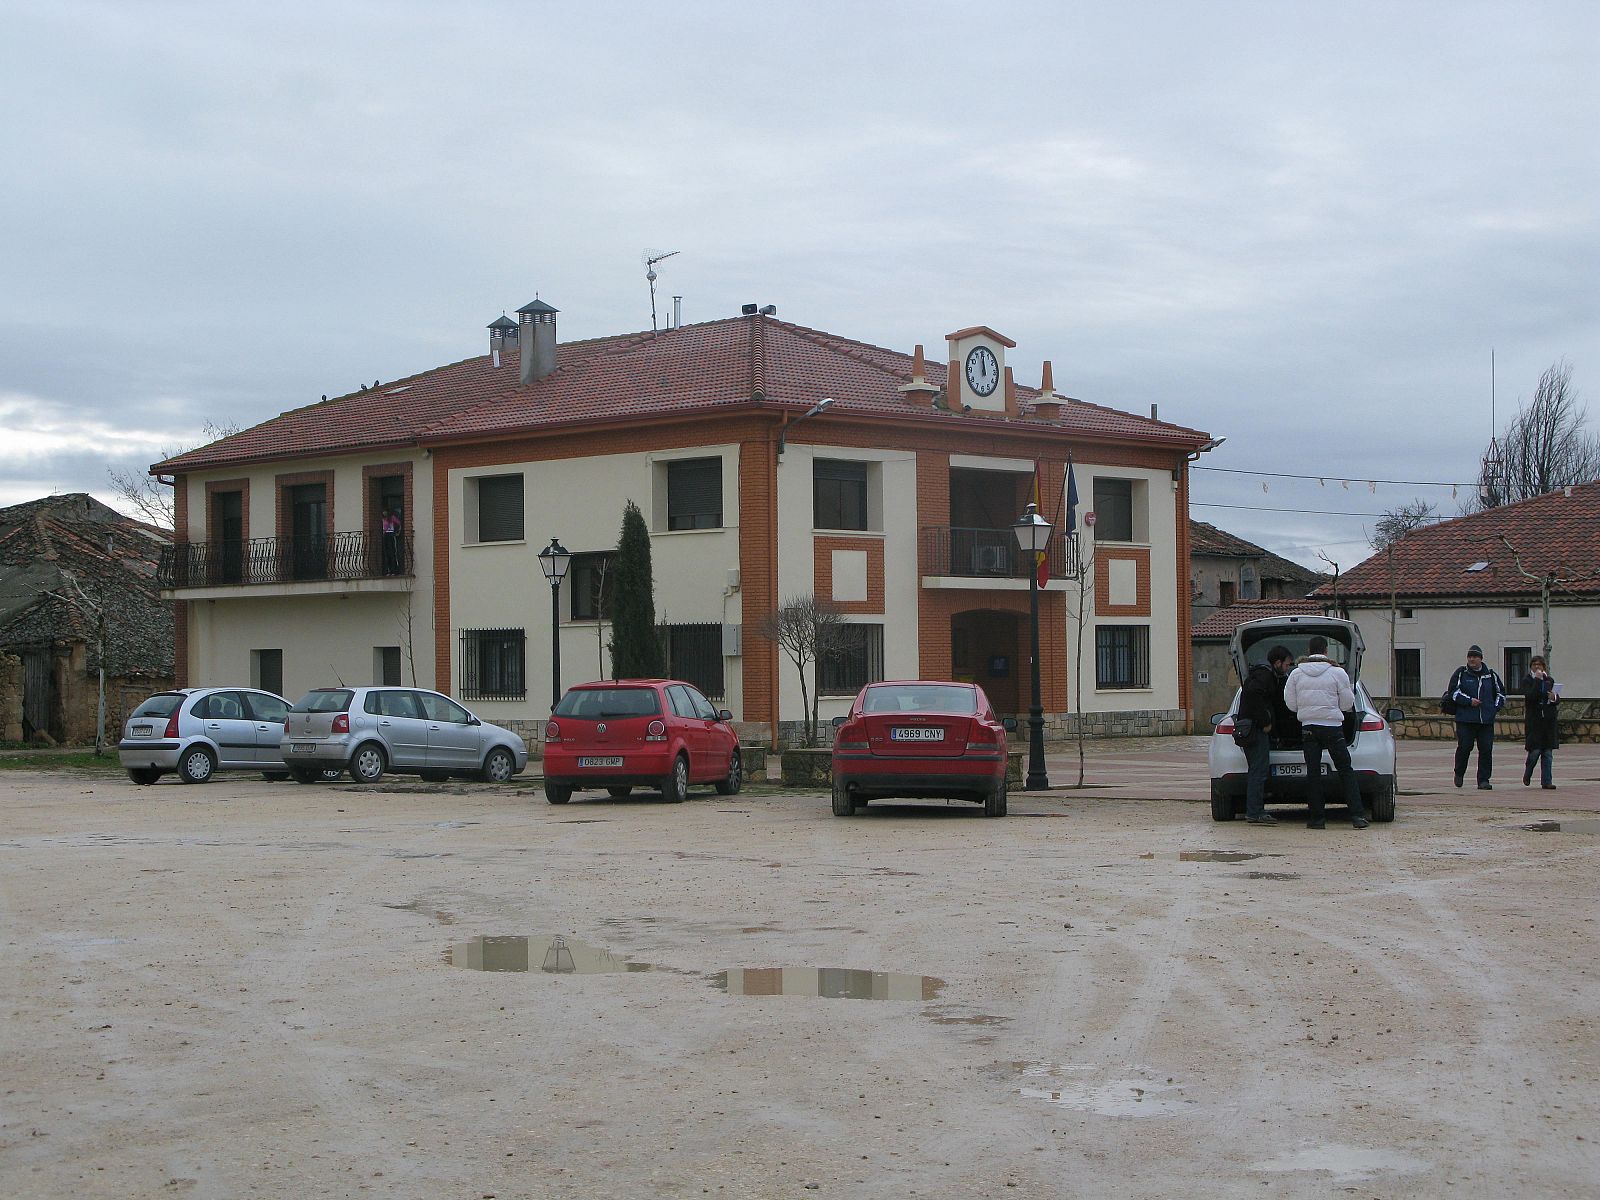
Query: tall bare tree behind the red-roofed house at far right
x,y
1545,446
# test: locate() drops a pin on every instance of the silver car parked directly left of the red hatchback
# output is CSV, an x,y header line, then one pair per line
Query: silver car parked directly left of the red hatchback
x,y
375,730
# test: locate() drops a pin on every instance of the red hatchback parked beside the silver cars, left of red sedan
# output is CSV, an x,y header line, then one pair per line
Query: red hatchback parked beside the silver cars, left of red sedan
x,y
639,734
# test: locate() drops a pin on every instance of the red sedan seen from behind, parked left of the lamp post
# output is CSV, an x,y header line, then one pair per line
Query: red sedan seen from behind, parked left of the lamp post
x,y
921,740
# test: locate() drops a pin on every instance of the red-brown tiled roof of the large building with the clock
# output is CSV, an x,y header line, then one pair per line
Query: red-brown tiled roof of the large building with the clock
x,y
694,369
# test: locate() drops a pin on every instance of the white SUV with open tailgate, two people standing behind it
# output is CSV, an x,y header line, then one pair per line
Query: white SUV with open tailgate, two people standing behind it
x,y
1369,735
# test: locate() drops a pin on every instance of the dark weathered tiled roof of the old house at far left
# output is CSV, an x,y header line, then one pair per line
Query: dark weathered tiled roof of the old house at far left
x,y
62,558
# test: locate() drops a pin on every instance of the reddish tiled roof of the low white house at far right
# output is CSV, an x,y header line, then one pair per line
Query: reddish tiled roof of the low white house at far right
x,y
1551,534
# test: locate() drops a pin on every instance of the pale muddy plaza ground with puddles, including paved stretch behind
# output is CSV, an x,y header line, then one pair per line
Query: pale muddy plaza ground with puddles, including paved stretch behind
x,y
258,990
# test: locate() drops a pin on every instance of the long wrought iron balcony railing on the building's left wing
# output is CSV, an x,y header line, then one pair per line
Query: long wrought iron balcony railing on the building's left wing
x,y
282,561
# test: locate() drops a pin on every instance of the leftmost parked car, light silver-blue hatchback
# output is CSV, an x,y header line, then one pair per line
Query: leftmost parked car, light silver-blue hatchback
x,y
199,732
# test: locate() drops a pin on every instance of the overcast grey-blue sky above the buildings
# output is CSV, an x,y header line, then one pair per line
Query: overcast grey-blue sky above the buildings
x,y
1302,226
